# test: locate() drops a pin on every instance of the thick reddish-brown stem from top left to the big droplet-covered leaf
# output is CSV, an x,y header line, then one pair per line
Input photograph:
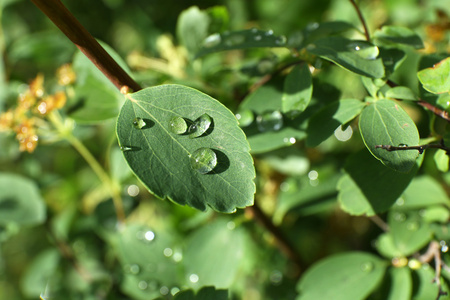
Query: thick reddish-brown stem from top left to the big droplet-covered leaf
x,y
69,25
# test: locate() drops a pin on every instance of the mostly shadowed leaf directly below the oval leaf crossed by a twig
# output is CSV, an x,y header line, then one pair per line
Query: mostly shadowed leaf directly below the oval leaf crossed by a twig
x,y
368,187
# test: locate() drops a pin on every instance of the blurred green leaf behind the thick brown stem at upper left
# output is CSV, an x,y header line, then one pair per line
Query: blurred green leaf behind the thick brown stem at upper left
x,y
96,98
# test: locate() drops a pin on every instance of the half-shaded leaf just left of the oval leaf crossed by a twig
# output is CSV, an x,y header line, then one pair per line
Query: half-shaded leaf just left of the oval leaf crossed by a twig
x,y
323,123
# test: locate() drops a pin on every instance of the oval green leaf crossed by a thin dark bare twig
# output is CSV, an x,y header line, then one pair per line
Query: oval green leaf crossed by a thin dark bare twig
x,y
386,123
